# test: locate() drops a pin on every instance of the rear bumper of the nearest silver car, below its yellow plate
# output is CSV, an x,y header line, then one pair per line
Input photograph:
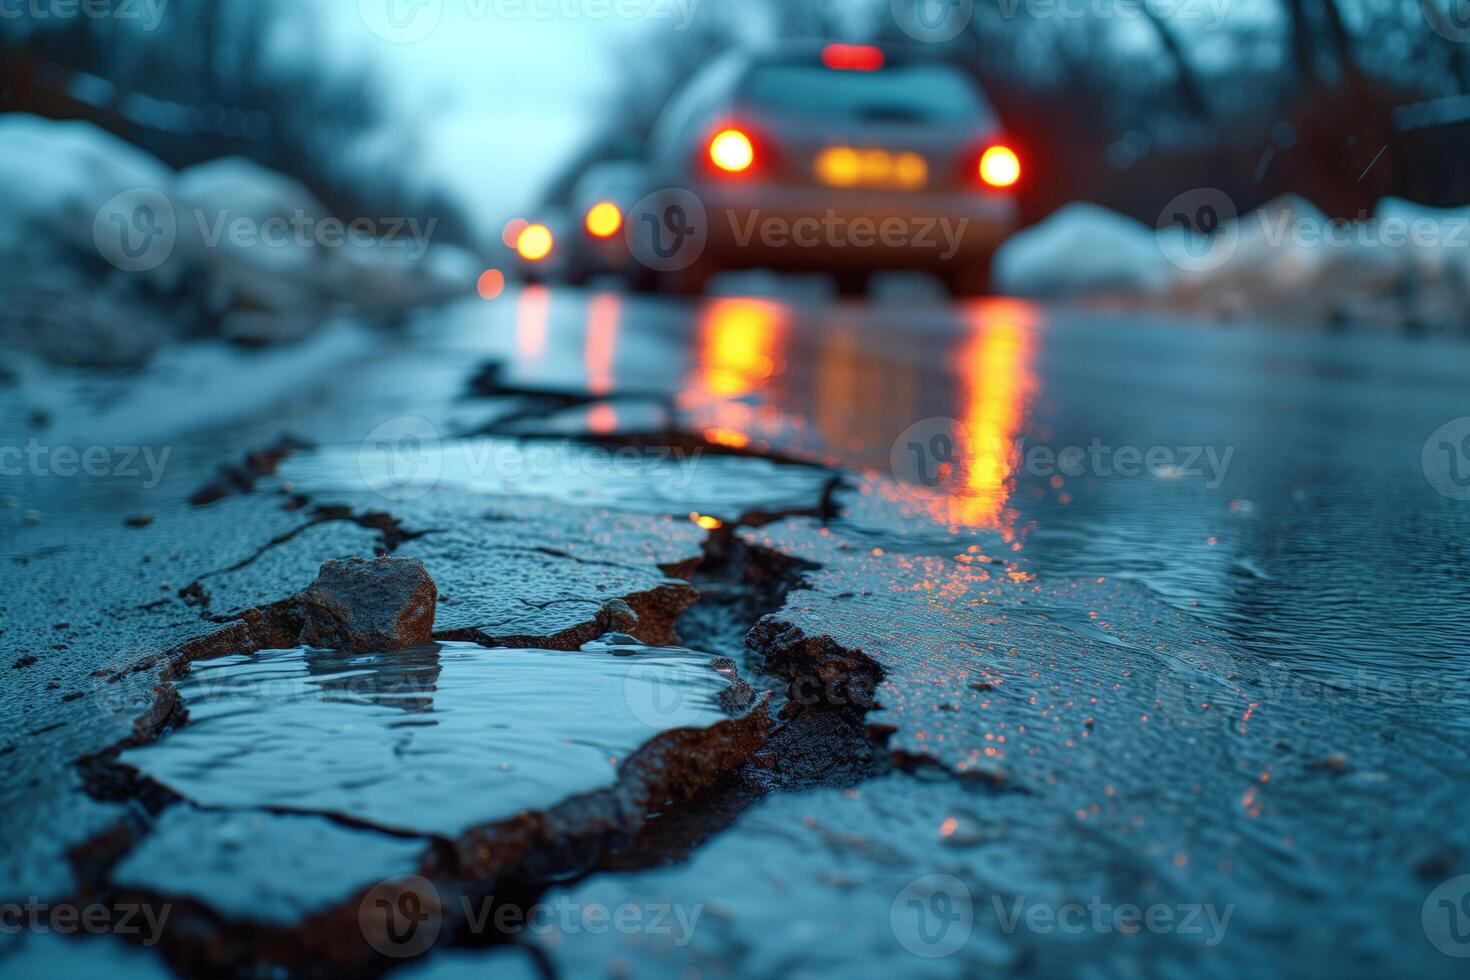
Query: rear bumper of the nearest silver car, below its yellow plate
x,y
761,226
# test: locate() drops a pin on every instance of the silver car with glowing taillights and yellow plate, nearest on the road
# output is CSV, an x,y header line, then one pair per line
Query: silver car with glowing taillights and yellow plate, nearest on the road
x,y
839,159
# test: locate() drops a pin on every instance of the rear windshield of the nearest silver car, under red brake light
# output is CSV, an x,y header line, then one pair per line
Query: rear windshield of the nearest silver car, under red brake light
x,y
902,93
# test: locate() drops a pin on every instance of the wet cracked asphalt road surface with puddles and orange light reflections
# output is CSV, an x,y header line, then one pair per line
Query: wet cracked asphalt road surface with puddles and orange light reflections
x,y
1096,644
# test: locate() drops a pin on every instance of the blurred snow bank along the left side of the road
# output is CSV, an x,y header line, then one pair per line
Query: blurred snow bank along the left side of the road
x,y
226,249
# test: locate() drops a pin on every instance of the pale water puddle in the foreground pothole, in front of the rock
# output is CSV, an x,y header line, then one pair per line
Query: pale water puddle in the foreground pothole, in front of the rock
x,y
436,740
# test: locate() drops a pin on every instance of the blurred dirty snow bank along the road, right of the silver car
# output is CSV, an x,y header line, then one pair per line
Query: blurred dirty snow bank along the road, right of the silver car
x,y
1405,267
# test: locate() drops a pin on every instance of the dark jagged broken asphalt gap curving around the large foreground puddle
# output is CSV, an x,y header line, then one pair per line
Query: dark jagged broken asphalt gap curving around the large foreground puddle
x,y
812,741
